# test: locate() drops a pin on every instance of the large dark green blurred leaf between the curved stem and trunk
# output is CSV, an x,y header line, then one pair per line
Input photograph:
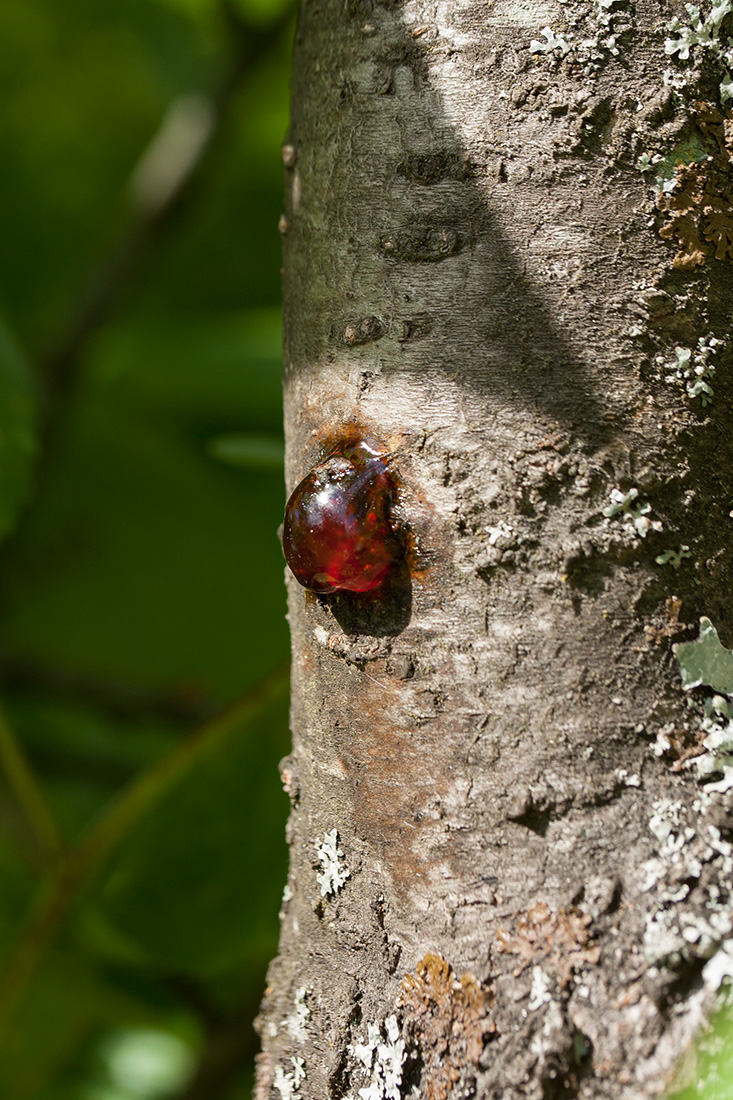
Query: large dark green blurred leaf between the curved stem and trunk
x,y
193,888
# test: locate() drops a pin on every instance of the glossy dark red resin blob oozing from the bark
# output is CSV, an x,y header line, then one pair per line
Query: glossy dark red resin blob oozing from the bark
x,y
338,535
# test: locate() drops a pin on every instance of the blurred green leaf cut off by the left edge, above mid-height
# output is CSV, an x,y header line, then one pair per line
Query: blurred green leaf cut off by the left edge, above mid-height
x,y
17,431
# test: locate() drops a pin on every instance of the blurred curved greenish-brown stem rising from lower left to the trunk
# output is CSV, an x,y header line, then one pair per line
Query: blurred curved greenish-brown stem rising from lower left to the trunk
x,y
61,890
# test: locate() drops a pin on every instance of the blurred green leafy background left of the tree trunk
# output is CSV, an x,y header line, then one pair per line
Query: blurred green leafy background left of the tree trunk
x,y
144,644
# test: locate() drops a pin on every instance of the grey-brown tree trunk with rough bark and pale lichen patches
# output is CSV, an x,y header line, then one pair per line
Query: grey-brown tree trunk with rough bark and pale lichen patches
x,y
527,878
